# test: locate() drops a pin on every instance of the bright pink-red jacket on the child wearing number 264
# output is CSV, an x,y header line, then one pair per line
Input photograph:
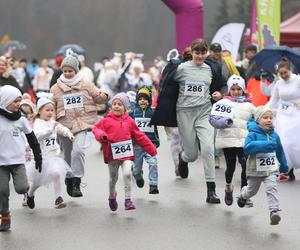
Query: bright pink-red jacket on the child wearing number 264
x,y
116,129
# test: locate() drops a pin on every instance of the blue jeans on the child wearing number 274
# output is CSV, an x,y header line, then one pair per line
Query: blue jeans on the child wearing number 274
x,y
137,169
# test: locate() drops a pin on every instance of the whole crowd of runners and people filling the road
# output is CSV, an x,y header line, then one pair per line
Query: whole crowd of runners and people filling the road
x,y
205,100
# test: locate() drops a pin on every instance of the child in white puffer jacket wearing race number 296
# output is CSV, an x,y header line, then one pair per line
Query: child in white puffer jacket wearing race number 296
x,y
230,116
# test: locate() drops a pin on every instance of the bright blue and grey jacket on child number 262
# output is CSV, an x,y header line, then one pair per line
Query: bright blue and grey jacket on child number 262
x,y
260,141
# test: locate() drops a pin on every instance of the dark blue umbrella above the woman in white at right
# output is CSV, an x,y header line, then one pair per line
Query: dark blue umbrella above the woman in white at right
x,y
269,57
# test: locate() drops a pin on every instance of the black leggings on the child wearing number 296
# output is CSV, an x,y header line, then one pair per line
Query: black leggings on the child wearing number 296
x,y
230,157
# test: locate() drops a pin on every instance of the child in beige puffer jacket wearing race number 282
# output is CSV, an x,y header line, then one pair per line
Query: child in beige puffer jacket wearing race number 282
x,y
75,108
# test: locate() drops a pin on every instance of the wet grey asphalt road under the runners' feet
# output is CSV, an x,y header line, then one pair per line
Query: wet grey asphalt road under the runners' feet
x,y
177,218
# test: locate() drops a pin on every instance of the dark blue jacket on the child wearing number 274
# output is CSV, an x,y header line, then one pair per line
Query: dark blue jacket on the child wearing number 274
x,y
138,112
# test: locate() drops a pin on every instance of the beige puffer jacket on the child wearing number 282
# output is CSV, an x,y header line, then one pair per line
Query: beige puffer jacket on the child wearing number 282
x,y
80,118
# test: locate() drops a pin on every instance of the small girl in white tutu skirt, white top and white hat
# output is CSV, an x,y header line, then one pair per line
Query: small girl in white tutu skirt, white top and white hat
x,y
54,167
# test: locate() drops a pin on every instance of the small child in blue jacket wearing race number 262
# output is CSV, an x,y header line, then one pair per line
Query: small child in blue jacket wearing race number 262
x,y
263,147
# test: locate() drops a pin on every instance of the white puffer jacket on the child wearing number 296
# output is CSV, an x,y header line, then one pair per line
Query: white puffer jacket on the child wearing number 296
x,y
236,134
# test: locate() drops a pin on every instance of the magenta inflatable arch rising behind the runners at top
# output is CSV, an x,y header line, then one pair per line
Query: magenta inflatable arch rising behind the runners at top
x,y
189,21
